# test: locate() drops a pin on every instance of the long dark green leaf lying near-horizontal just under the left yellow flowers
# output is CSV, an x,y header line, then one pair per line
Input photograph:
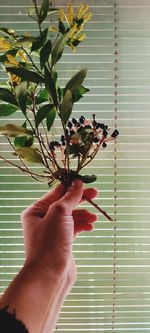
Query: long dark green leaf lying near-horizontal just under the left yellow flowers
x,y
26,74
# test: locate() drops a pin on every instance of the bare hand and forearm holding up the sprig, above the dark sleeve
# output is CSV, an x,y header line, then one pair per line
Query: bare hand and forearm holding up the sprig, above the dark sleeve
x,y
49,272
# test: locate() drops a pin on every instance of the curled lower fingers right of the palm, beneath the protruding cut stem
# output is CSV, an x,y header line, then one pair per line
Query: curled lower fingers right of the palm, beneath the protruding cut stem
x,y
83,220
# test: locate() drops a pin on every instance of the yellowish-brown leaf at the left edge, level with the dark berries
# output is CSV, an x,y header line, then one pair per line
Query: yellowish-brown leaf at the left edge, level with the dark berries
x,y
14,130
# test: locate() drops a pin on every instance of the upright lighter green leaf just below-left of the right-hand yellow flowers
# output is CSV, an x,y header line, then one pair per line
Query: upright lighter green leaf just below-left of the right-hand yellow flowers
x,y
58,49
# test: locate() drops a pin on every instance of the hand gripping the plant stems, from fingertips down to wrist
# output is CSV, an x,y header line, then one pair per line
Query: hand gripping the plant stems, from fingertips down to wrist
x,y
51,223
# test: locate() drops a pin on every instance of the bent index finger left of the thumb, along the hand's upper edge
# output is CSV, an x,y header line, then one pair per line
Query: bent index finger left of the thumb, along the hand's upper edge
x,y
40,207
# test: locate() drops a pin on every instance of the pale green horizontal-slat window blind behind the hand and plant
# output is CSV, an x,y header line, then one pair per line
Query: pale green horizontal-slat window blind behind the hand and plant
x,y
112,292
